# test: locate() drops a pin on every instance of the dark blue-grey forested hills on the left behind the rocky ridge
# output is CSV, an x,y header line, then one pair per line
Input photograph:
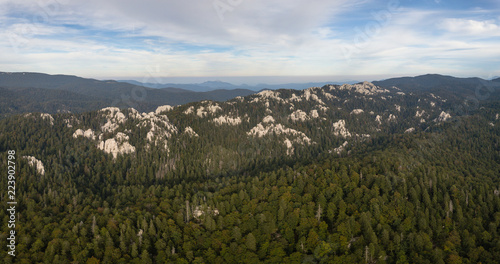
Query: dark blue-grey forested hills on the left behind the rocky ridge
x,y
38,92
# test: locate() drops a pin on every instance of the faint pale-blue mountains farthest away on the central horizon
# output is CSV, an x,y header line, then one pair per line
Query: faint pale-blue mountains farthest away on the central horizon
x,y
213,85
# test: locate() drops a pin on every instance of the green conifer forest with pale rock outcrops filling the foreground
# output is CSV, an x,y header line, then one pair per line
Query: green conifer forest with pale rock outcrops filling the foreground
x,y
337,174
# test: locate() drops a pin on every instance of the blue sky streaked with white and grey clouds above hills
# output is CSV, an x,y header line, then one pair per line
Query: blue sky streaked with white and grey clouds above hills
x,y
251,41
